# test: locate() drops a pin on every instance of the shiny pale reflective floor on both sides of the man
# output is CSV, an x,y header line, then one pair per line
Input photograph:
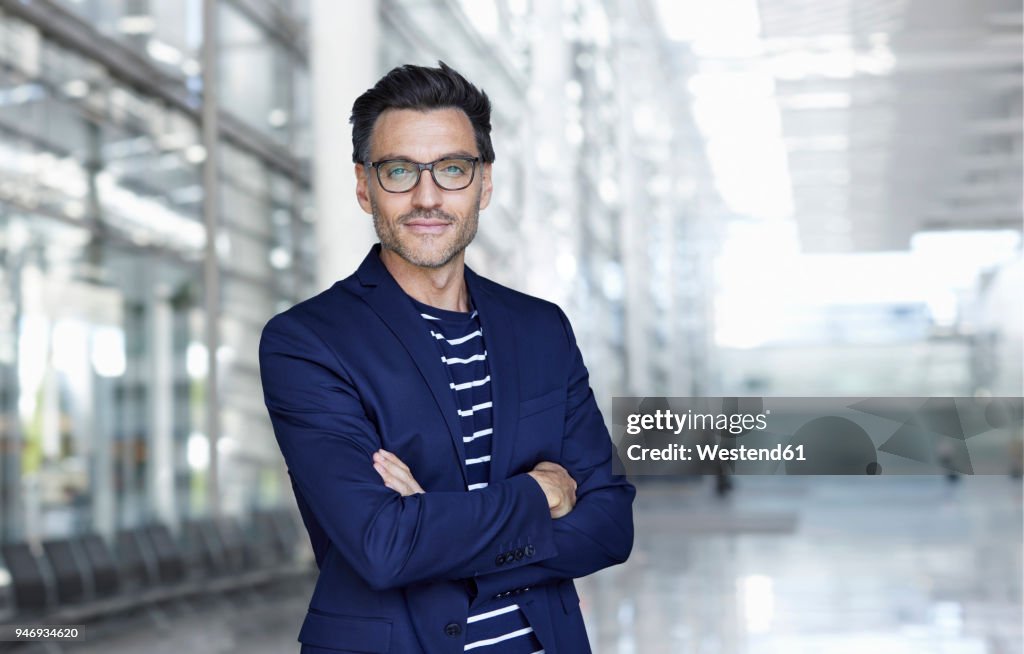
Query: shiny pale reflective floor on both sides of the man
x,y
795,565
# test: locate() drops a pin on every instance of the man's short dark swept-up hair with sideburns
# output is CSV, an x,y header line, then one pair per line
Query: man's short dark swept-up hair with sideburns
x,y
421,89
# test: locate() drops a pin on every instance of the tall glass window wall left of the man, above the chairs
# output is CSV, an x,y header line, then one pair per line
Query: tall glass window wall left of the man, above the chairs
x,y
103,333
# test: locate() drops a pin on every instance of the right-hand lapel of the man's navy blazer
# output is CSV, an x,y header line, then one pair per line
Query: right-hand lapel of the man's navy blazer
x,y
499,338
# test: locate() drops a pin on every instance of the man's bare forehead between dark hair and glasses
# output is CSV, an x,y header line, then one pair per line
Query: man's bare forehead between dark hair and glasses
x,y
422,136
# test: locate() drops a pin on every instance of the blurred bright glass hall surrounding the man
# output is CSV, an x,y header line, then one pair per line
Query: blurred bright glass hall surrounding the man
x,y
739,198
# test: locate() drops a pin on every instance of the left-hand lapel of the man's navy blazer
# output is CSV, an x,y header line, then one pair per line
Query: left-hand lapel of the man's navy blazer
x,y
390,302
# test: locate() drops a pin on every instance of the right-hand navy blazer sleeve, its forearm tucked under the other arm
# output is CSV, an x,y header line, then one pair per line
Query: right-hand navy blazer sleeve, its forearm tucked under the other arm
x,y
599,533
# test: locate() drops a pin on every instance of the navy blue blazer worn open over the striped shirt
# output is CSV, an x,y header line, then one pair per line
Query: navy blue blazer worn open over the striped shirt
x,y
354,370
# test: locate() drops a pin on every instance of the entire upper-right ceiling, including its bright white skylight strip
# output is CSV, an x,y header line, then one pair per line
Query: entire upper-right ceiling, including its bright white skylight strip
x,y
865,121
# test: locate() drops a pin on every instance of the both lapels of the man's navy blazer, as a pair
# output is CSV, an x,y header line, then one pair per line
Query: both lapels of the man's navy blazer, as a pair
x,y
388,299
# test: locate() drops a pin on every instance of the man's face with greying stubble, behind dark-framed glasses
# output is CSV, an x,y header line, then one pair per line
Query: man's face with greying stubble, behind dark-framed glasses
x,y
428,227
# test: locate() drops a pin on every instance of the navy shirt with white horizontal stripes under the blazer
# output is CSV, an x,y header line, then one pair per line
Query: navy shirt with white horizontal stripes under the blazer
x,y
499,627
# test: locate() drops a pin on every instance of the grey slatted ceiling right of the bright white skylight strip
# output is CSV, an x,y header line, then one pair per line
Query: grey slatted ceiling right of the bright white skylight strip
x,y
922,132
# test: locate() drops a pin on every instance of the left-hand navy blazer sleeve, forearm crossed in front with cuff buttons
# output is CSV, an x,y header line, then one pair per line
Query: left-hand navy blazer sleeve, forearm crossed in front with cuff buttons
x,y
328,444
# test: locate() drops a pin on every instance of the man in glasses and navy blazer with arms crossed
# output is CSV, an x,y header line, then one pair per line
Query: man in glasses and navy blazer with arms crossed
x,y
448,457
